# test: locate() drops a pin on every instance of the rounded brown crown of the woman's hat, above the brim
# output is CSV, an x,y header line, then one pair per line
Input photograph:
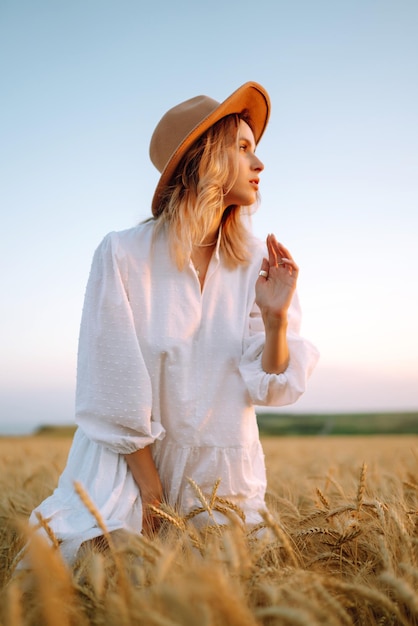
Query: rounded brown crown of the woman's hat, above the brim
x,y
176,125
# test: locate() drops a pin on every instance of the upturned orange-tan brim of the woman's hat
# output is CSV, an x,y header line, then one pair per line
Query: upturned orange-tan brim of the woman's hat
x,y
250,97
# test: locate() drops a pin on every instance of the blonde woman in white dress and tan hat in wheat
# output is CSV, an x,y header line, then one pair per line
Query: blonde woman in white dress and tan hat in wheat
x,y
188,322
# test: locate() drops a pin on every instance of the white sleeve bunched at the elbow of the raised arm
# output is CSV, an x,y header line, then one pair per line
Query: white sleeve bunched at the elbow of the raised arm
x,y
277,389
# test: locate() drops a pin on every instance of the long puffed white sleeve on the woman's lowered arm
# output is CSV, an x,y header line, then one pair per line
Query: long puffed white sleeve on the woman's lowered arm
x,y
114,396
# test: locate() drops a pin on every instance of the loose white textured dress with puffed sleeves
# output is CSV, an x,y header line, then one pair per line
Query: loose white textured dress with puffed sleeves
x,y
163,362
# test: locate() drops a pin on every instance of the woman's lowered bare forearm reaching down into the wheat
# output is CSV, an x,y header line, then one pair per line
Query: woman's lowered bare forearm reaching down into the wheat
x,y
148,480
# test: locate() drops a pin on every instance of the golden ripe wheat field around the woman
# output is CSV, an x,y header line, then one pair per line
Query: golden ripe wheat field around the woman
x,y
338,547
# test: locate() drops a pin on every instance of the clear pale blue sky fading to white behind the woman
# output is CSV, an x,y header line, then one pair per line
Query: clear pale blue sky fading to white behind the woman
x,y
83,85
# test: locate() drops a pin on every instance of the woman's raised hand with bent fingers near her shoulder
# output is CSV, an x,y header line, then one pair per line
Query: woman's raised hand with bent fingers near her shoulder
x,y
276,283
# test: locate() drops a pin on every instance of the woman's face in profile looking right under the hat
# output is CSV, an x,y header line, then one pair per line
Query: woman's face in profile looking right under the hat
x,y
243,191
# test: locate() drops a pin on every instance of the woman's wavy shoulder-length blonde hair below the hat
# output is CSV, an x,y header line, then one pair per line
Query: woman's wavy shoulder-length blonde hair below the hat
x,y
195,197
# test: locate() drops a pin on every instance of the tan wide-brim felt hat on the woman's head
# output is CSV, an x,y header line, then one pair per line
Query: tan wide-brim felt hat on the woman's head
x,y
179,128
